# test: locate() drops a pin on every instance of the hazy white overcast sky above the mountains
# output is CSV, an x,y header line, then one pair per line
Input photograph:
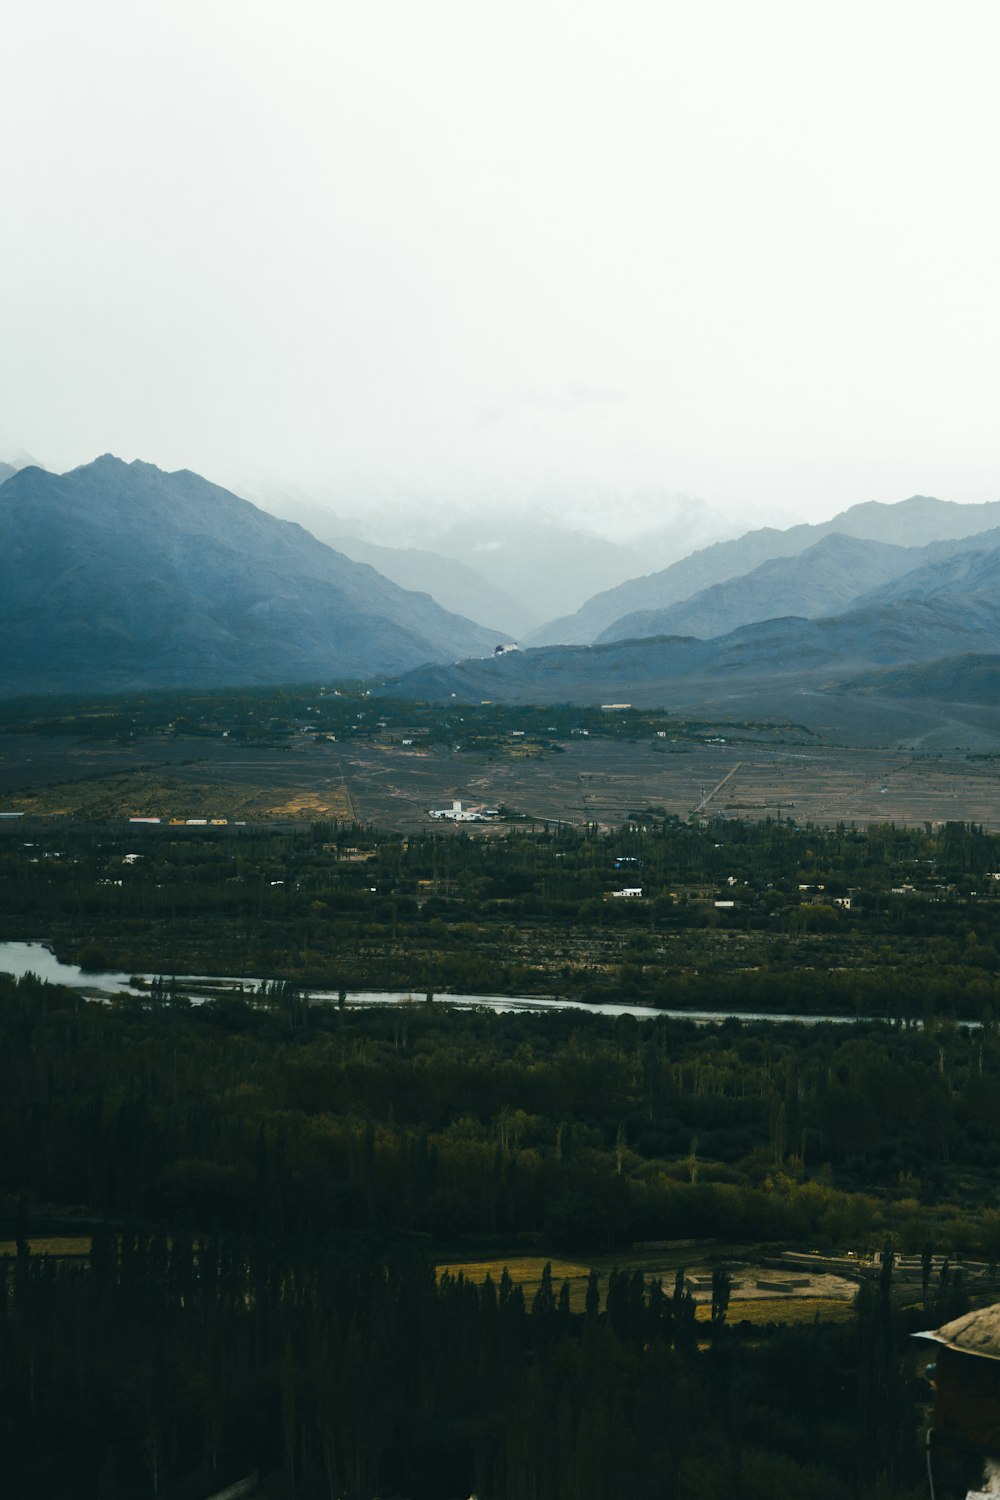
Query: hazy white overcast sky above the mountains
x,y
746,251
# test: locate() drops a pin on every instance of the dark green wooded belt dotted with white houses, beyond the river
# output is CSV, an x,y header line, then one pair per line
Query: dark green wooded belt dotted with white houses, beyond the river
x,y
340,905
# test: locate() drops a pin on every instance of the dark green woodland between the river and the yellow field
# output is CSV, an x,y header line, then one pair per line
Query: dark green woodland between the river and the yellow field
x,y
269,1115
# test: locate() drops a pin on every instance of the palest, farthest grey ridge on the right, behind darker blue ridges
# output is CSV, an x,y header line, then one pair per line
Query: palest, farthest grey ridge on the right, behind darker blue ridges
x,y
918,521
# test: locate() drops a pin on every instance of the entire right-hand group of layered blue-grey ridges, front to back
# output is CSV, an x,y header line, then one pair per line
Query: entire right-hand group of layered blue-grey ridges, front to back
x,y
879,626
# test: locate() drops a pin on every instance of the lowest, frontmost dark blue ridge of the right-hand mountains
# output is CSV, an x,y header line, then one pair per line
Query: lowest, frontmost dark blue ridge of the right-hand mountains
x,y
918,644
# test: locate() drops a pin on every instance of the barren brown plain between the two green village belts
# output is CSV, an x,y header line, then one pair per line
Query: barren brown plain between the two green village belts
x,y
587,781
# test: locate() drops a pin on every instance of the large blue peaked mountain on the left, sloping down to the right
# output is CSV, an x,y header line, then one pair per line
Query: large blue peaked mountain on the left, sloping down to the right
x,y
121,575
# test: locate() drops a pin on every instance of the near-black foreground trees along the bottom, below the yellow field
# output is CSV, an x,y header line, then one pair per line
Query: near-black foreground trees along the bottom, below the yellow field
x,y
167,1366
